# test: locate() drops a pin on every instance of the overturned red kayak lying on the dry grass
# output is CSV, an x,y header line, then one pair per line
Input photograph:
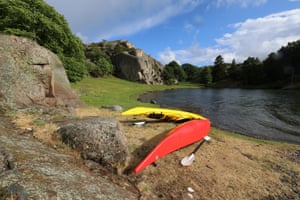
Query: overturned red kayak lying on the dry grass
x,y
181,136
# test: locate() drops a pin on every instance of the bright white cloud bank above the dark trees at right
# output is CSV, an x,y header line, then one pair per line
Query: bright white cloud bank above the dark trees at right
x,y
253,37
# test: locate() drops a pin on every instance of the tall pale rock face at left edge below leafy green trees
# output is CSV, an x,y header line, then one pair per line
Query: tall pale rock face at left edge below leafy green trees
x,y
32,75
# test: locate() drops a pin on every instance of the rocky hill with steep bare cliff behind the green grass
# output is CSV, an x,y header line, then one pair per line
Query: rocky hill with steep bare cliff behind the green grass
x,y
131,63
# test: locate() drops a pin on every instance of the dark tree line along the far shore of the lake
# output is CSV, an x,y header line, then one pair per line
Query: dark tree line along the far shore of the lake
x,y
278,69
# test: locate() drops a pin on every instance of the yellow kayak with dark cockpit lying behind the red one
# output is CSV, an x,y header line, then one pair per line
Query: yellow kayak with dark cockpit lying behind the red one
x,y
163,114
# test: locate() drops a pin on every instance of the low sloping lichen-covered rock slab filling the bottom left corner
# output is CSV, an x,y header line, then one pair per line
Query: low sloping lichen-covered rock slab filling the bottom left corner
x,y
41,172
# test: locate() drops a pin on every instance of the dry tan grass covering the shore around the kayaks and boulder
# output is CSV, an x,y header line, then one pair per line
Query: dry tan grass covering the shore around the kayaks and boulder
x,y
228,167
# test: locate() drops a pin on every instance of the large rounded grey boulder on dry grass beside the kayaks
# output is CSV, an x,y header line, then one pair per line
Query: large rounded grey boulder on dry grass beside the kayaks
x,y
97,139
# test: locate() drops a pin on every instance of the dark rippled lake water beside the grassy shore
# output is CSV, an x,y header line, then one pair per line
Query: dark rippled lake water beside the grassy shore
x,y
267,114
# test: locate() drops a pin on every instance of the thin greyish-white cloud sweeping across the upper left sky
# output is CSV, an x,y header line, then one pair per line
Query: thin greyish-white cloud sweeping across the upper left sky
x,y
115,18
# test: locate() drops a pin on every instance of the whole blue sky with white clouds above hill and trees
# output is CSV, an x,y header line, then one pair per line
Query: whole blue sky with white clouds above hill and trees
x,y
187,31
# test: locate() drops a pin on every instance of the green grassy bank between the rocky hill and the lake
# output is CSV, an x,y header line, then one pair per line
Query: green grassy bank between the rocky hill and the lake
x,y
113,91
